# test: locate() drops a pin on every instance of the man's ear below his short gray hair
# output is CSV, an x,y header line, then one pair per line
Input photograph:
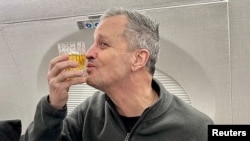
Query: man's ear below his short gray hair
x,y
141,57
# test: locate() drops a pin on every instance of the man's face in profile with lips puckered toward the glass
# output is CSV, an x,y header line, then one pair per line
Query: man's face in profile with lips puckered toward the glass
x,y
108,56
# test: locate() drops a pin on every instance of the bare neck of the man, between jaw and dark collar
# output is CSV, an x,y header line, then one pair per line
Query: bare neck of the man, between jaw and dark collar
x,y
133,98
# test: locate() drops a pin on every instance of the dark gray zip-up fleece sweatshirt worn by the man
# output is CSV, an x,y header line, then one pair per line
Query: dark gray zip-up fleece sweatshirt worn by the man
x,y
96,119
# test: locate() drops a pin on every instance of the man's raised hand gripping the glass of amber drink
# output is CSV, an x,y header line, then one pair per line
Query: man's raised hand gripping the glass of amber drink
x,y
60,80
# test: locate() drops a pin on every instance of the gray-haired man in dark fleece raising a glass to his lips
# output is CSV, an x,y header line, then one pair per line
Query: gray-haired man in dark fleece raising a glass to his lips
x,y
130,105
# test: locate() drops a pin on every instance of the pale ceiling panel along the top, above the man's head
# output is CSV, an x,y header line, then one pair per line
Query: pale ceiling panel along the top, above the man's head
x,y
28,10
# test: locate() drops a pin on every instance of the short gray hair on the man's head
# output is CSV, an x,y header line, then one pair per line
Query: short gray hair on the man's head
x,y
141,32
